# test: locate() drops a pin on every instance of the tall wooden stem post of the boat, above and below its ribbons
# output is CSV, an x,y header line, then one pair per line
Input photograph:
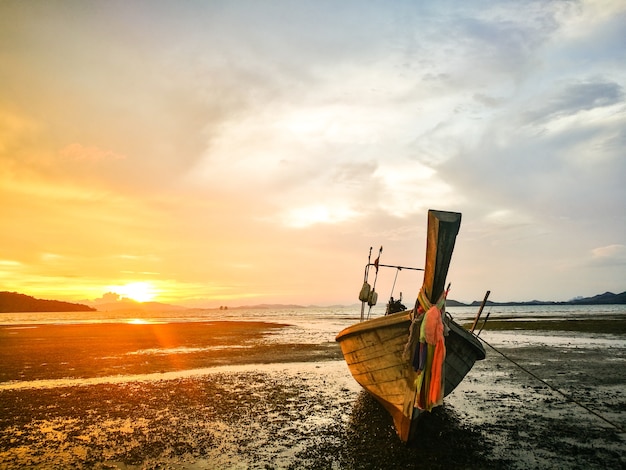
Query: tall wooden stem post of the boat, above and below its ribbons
x,y
443,228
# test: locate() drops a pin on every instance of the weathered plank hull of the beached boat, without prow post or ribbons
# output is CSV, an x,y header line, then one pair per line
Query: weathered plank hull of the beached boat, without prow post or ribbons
x,y
374,350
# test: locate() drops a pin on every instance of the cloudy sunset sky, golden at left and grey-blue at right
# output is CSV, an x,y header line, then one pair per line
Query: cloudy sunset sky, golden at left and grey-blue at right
x,y
209,153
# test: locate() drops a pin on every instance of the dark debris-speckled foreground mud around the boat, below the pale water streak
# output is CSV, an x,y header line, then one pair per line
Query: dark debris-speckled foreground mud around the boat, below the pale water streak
x,y
312,415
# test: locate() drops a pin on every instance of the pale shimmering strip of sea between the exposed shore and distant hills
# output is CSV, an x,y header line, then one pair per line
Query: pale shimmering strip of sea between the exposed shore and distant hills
x,y
317,325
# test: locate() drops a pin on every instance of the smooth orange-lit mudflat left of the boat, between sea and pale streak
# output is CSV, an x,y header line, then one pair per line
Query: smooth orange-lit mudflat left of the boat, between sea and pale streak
x,y
32,352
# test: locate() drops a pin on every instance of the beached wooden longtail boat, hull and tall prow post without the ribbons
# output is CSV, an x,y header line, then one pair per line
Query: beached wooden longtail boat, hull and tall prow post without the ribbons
x,y
376,350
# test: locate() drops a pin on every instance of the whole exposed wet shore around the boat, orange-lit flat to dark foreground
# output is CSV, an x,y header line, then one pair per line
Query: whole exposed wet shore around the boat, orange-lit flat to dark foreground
x,y
269,405
